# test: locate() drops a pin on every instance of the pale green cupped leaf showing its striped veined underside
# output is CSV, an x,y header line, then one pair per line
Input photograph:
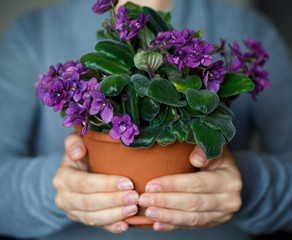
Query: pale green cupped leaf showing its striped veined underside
x,y
148,61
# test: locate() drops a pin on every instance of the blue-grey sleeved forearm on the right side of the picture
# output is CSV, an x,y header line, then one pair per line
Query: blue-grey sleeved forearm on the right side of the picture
x,y
266,195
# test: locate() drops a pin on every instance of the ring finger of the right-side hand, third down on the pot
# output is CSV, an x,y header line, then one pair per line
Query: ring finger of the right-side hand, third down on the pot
x,y
181,218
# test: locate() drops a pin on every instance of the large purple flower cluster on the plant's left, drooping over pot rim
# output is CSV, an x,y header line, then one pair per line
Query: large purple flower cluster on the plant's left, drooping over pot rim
x,y
63,89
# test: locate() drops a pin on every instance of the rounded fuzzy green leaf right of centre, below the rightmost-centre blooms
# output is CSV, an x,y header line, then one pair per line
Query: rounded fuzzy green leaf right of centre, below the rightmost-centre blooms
x,y
204,101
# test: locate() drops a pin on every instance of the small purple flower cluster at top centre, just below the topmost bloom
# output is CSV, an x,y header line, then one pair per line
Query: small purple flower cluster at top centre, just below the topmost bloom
x,y
134,26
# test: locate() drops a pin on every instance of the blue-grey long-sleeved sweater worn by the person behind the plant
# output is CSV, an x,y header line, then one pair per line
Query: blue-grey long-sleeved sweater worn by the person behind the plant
x,y
32,136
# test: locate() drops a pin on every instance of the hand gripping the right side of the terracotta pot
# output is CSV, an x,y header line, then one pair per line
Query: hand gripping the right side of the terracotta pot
x,y
195,200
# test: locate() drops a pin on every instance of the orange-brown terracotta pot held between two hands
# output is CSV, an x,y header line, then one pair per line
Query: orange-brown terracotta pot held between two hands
x,y
108,156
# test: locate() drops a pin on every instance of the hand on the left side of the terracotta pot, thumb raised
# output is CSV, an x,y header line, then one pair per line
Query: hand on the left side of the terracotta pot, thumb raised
x,y
93,199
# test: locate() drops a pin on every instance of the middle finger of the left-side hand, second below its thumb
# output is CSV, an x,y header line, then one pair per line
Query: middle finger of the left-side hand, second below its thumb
x,y
98,201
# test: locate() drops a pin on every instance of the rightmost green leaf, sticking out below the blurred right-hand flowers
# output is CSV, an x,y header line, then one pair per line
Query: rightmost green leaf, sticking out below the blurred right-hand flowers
x,y
234,84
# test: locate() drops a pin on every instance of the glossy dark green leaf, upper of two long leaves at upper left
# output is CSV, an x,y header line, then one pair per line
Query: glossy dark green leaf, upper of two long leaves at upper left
x,y
116,51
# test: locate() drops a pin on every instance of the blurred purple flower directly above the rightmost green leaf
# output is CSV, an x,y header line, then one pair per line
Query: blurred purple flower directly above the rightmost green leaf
x,y
238,64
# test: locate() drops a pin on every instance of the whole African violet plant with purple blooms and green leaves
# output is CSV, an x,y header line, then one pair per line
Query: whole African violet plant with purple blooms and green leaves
x,y
147,82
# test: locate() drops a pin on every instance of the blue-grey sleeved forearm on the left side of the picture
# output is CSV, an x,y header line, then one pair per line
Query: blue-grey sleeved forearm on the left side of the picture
x,y
27,203
